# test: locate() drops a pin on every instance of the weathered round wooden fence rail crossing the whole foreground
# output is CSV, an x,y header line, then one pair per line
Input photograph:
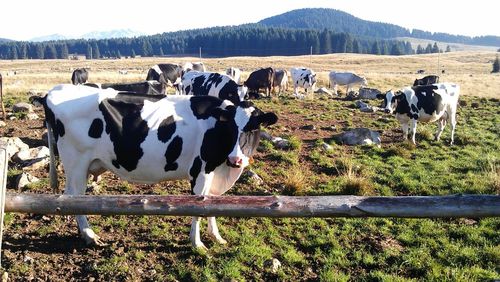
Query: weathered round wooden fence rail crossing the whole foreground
x,y
259,206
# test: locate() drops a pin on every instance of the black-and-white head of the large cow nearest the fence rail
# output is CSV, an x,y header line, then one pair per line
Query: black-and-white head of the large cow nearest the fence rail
x,y
248,120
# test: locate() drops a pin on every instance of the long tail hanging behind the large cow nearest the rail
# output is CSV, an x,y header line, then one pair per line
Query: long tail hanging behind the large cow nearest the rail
x,y
54,182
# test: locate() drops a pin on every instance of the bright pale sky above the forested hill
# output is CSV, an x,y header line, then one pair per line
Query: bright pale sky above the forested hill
x,y
23,20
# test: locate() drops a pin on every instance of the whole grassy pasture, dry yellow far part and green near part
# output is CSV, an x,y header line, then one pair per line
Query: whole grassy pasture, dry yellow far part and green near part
x,y
333,249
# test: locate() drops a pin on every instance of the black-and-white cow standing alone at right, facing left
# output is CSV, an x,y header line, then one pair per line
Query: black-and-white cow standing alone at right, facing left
x,y
427,103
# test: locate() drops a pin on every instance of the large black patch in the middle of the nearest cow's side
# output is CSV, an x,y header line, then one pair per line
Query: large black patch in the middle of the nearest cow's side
x,y
126,128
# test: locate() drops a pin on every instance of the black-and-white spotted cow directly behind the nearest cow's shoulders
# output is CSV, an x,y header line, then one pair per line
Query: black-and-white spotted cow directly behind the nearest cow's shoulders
x,y
213,84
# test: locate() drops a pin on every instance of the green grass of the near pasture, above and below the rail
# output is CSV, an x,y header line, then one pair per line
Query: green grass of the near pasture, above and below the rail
x,y
326,249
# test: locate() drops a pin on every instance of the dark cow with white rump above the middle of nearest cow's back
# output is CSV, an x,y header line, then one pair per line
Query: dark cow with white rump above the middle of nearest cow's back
x,y
167,75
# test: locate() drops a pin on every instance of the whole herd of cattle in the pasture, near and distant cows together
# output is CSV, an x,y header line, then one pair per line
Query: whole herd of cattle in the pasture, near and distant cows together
x,y
207,136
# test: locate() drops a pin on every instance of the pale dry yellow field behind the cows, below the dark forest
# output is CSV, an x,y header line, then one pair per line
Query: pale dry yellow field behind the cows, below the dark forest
x,y
469,69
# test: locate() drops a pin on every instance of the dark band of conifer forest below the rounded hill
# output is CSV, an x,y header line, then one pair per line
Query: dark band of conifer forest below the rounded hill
x,y
246,40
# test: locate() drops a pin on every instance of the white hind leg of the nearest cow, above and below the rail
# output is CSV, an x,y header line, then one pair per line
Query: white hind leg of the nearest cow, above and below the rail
x,y
76,184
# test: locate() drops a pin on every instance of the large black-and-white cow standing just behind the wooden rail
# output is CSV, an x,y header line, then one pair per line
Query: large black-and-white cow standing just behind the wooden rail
x,y
149,139
